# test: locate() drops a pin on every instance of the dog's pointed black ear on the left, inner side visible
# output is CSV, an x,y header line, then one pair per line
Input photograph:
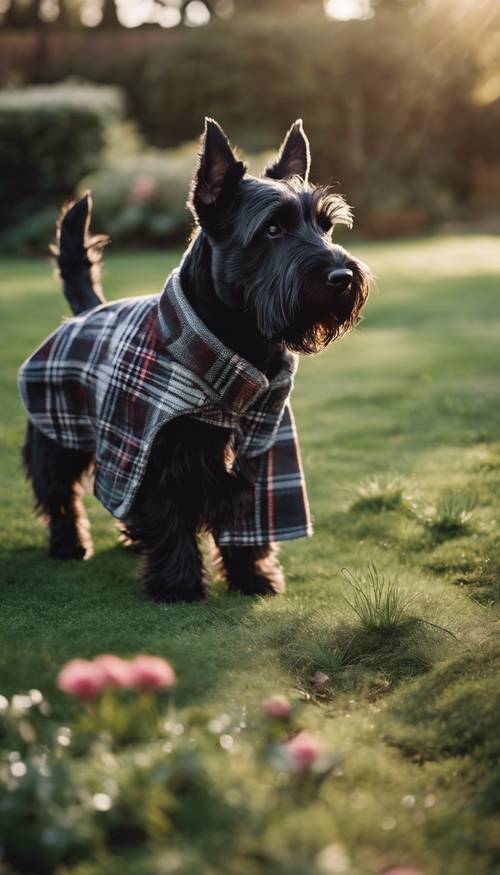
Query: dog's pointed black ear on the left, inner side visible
x,y
218,171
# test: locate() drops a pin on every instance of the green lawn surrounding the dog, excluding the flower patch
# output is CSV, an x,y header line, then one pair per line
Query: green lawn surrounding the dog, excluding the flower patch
x,y
411,710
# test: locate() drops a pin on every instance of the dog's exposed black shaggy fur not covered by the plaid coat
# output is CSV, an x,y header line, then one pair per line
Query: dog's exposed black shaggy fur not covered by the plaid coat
x,y
263,275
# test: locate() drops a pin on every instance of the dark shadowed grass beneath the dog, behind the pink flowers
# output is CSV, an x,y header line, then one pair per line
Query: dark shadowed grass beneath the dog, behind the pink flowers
x,y
60,610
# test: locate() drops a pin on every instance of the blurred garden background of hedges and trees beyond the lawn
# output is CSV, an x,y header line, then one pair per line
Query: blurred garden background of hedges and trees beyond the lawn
x,y
400,98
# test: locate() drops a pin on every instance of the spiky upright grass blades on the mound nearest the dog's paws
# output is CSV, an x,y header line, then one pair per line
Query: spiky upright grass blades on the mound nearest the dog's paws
x,y
377,600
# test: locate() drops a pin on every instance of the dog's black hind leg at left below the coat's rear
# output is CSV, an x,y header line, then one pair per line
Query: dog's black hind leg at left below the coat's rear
x,y
55,473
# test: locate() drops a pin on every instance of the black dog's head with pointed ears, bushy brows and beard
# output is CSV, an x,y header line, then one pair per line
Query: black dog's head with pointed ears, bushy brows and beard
x,y
272,253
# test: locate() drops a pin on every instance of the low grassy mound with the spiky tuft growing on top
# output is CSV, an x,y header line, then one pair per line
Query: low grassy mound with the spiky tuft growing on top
x,y
387,644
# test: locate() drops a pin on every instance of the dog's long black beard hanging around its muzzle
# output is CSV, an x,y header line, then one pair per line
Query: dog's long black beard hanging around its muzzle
x,y
307,318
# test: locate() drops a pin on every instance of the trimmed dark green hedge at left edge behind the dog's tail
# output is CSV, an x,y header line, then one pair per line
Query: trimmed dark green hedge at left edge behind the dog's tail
x,y
49,138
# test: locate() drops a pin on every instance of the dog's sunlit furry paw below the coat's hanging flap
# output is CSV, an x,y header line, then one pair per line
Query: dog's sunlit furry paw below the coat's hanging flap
x,y
253,570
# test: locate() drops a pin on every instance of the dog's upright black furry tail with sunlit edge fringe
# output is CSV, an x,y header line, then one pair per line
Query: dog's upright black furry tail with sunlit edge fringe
x,y
78,255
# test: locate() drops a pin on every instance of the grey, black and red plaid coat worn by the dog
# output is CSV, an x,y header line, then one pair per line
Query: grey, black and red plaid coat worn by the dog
x,y
106,381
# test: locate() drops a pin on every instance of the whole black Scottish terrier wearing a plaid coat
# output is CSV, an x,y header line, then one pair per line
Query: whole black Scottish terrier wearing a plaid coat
x,y
181,401
